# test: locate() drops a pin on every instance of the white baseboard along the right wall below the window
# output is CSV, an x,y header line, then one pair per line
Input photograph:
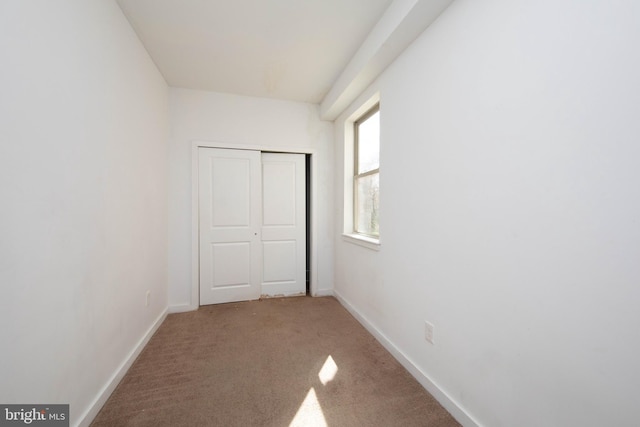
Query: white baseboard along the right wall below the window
x,y
443,398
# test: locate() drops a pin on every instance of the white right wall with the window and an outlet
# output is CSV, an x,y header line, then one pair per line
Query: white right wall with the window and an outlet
x,y
510,211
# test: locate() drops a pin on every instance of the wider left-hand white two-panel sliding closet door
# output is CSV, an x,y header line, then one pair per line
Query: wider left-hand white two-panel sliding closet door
x,y
229,210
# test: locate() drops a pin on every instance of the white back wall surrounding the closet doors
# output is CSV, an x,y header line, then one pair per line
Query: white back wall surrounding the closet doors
x,y
240,121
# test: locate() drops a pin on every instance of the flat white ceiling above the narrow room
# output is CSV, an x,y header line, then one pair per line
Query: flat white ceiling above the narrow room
x,y
285,49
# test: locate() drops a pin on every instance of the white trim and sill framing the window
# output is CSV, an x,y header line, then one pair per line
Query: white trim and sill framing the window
x,y
349,235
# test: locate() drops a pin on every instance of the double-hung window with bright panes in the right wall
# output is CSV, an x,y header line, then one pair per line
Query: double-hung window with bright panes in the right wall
x,y
366,176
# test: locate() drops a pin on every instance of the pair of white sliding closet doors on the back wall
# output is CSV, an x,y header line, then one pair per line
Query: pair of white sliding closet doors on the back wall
x,y
252,219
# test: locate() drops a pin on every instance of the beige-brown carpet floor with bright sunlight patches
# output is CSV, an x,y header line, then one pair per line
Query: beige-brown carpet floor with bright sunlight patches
x,y
276,362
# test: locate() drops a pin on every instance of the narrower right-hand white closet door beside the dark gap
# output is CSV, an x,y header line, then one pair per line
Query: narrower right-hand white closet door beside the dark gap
x,y
283,224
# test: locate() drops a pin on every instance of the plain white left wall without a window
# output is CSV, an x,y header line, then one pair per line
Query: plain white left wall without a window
x,y
83,191
